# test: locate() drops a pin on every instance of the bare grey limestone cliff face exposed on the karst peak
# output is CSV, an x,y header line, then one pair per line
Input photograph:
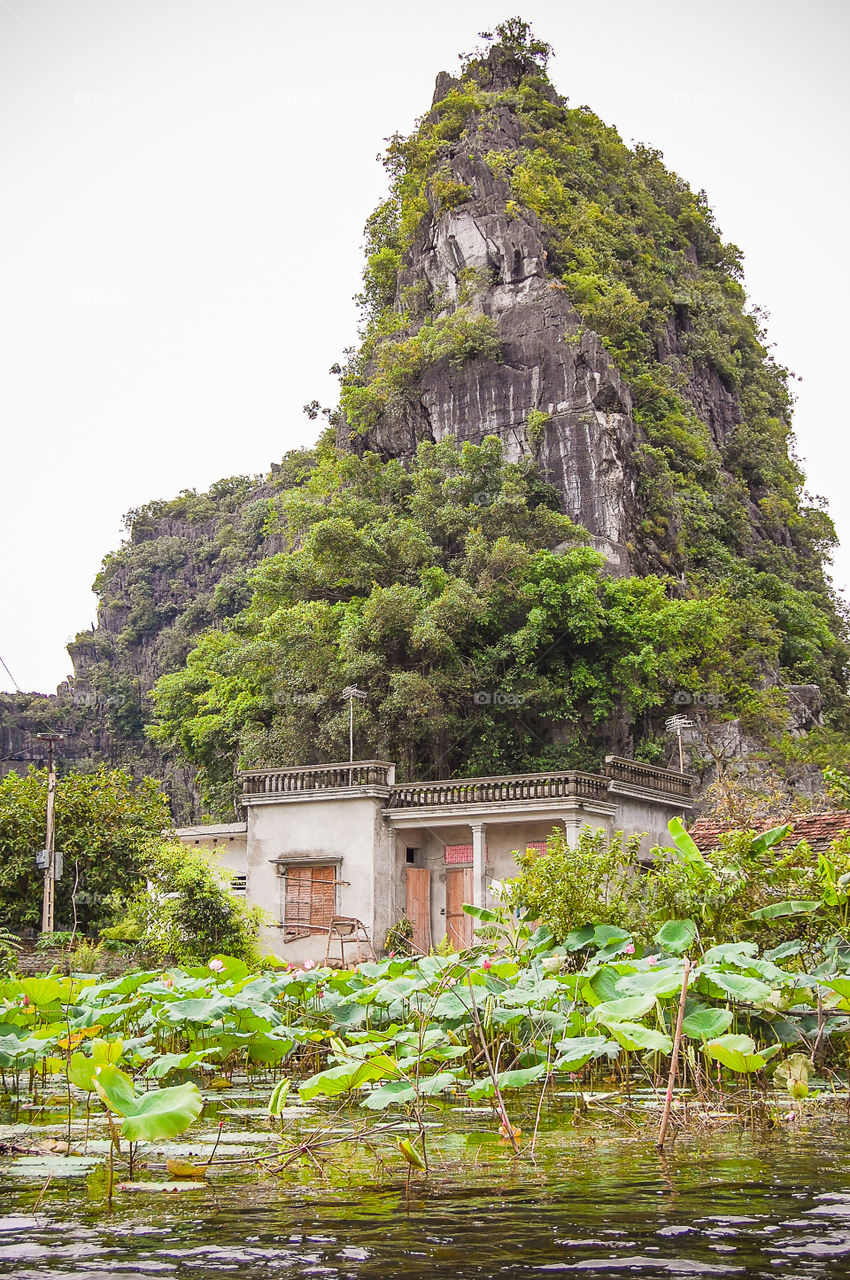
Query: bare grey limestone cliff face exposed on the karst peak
x,y
555,395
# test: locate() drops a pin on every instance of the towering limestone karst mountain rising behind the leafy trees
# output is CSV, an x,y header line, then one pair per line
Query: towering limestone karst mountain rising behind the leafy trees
x,y
532,278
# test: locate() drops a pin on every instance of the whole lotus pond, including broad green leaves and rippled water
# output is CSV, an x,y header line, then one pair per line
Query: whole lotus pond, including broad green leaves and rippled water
x,y
446,1116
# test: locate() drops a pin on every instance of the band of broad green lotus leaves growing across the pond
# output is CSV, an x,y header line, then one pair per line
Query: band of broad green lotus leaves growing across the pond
x,y
401,1032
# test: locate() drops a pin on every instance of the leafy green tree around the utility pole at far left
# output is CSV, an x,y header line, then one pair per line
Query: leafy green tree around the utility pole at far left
x,y
106,825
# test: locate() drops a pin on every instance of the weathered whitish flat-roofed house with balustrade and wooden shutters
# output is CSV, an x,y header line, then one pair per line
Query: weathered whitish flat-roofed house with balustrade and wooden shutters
x,y
344,840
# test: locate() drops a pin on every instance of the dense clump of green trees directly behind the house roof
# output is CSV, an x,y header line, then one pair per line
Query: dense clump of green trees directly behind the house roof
x,y
485,632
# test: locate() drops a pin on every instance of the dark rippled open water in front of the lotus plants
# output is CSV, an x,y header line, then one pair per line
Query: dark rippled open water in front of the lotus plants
x,y
595,1203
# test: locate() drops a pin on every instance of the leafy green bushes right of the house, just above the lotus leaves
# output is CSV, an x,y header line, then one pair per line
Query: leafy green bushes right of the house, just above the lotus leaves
x,y
762,889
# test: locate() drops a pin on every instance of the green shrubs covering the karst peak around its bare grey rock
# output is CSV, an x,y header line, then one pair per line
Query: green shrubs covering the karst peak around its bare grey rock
x,y
645,266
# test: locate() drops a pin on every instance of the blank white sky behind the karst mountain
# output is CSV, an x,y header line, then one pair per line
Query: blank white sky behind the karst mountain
x,y
186,184
